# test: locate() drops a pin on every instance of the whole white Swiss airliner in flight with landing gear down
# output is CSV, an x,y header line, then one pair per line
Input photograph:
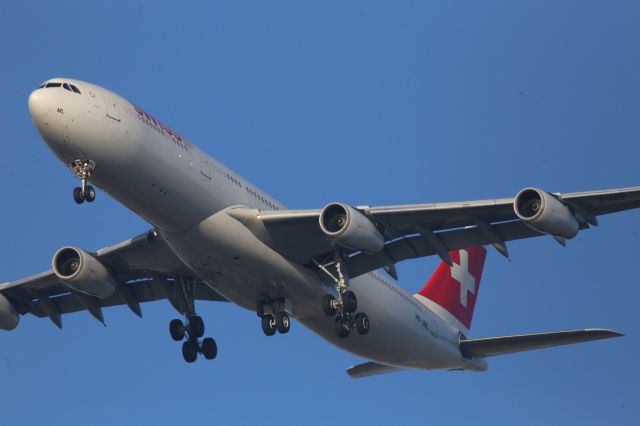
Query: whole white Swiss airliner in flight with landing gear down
x,y
217,237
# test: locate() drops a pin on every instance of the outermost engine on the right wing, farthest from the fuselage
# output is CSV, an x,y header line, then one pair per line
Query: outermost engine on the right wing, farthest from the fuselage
x,y
545,213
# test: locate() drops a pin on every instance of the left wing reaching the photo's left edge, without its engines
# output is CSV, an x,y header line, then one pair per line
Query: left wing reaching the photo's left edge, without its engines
x,y
144,268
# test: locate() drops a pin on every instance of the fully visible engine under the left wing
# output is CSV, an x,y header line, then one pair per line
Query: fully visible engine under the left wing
x,y
82,272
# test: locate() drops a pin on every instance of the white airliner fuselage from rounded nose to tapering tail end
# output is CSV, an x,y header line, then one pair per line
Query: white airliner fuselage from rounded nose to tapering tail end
x,y
186,195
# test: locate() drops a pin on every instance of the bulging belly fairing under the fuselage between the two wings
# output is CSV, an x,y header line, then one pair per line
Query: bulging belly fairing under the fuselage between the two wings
x,y
233,261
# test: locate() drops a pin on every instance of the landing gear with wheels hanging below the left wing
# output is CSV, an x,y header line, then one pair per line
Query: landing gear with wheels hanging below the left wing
x,y
192,329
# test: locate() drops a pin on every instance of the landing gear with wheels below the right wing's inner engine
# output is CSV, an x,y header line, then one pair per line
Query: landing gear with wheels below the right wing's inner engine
x,y
345,304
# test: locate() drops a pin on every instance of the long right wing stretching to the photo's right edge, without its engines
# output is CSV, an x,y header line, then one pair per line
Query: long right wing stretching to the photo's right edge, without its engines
x,y
420,230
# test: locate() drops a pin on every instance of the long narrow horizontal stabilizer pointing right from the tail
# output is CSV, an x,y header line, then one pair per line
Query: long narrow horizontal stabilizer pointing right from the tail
x,y
525,342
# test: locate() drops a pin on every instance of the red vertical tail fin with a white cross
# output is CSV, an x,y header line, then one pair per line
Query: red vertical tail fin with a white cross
x,y
452,290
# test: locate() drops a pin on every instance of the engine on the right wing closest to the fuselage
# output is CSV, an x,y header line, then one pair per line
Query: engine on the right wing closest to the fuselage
x,y
350,228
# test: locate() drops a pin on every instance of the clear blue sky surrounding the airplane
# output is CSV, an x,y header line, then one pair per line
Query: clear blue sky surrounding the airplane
x,y
357,101
